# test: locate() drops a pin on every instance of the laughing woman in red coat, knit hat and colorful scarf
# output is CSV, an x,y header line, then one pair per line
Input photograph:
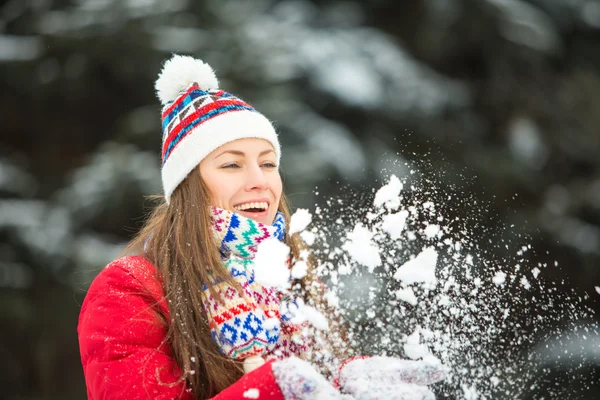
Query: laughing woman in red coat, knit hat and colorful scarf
x,y
183,316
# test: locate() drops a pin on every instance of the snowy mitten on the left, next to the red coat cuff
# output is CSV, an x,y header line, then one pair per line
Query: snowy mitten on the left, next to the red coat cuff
x,y
298,380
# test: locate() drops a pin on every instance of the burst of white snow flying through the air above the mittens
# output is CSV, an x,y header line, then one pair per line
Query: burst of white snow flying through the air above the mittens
x,y
456,323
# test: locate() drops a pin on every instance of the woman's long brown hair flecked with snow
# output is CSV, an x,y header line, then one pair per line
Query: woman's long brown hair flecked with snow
x,y
177,239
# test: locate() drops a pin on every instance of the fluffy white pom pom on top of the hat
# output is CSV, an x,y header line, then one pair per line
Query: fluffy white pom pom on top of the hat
x,y
181,71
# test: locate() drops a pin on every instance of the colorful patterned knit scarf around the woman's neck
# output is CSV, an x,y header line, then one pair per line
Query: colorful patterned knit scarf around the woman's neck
x,y
257,322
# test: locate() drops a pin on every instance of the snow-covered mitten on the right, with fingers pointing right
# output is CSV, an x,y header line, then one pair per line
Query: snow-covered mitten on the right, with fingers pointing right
x,y
390,378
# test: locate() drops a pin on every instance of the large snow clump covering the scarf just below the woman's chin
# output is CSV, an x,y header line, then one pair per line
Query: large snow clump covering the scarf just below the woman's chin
x,y
270,264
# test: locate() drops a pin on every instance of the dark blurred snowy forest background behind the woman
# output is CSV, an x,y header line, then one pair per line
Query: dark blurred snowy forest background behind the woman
x,y
505,93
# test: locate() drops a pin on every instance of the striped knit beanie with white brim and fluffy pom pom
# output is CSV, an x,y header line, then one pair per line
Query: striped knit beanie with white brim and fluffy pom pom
x,y
197,118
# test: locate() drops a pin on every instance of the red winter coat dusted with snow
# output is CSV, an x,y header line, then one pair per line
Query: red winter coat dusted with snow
x,y
122,342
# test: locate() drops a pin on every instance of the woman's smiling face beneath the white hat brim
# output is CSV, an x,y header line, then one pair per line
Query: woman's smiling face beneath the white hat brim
x,y
243,176
